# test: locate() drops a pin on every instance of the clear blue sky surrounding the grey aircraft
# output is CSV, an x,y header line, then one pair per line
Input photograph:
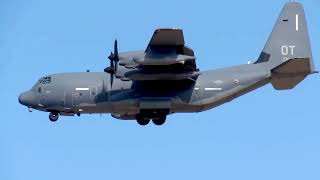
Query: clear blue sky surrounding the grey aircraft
x,y
266,134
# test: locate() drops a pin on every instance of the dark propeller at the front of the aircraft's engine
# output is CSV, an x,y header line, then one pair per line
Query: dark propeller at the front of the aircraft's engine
x,y
114,59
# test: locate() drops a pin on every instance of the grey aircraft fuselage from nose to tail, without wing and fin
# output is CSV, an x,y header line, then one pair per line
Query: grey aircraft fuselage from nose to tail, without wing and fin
x,y
90,92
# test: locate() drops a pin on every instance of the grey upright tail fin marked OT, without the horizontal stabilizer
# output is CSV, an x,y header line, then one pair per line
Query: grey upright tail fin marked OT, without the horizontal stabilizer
x,y
289,38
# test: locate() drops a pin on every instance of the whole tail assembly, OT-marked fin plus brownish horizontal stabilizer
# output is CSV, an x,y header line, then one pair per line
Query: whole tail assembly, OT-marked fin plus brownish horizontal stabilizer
x,y
287,52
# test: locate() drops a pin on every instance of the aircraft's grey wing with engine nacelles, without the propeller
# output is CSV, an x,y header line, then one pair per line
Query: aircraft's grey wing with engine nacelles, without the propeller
x,y
165,58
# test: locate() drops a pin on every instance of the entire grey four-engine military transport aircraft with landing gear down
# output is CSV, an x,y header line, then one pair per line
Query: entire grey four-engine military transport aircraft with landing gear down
x,y
163,79
